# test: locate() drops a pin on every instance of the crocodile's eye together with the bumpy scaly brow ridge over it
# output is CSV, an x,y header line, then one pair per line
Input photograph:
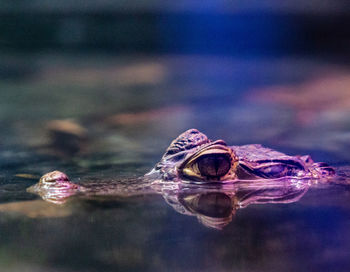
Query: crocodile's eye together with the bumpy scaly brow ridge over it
x,y
192,156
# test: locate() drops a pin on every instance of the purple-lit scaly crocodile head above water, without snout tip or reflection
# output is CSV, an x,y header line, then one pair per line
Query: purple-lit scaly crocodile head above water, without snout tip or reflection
x,y
193,157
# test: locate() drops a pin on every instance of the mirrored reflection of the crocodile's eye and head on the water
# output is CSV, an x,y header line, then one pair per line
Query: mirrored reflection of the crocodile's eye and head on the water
x,y
216,208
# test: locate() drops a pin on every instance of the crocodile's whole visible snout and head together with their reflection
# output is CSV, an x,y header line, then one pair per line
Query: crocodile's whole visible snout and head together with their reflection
x,y
204,178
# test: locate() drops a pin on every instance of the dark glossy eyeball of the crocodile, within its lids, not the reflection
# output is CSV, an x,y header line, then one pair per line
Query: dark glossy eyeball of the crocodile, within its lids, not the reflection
x,y
214,165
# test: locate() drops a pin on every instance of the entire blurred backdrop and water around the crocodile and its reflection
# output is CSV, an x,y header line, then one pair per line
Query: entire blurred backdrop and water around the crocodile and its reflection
x,y
98,89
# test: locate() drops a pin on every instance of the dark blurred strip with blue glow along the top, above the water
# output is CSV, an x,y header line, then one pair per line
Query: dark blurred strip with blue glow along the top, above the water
x,y
185,27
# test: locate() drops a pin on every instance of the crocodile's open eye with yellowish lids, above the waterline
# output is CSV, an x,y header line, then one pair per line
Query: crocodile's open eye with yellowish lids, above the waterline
x,y
211,164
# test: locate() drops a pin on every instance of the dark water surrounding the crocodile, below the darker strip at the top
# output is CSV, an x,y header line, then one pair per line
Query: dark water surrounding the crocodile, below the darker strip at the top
x,y
126,111
